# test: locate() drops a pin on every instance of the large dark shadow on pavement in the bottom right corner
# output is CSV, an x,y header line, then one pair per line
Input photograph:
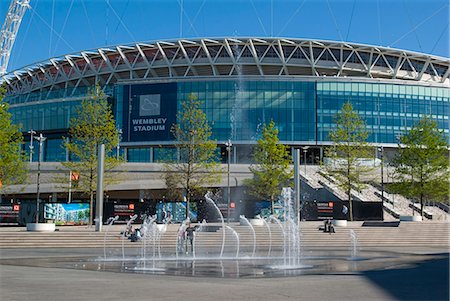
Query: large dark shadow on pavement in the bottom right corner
x,y
426,280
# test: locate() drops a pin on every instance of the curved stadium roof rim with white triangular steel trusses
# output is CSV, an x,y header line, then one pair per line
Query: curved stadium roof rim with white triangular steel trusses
x,y
250,57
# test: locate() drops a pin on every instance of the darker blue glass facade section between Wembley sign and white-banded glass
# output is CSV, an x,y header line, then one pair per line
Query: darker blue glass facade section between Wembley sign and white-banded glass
x,y
237,110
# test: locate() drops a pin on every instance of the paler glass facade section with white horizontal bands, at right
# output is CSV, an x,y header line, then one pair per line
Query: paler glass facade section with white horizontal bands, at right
x,y
389,110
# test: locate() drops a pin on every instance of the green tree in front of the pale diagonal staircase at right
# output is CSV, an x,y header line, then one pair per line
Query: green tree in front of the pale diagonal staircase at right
x,y
346,155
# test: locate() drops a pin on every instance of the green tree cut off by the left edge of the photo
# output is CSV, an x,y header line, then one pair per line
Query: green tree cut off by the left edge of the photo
x,y
12,166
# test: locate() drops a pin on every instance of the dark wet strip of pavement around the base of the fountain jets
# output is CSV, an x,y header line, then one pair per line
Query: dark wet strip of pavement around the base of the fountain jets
x,y
313,263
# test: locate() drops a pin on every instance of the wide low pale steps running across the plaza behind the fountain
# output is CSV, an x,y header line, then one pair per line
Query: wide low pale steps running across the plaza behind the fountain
x,y
408,234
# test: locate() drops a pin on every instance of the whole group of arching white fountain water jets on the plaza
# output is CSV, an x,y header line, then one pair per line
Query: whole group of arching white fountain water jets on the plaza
x,y
152,233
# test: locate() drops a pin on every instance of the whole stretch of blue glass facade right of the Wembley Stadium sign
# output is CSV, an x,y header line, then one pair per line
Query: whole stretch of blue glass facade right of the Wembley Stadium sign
x,y
304,111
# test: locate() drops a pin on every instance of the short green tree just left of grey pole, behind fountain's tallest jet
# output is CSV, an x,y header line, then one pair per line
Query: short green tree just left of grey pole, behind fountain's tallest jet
x,y
271,170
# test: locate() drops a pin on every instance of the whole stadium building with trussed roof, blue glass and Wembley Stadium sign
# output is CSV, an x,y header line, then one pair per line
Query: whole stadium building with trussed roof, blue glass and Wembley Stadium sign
x,y
243,83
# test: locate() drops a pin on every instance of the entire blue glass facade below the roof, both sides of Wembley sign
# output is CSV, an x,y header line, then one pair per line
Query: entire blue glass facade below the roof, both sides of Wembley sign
x,y
303,111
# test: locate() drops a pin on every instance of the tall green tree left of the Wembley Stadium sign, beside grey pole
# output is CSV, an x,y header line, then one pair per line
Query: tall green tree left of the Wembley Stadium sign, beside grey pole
x,y
93,125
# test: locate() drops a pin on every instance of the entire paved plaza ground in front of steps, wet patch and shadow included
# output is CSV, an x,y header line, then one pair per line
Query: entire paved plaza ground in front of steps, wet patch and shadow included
x,y
82,274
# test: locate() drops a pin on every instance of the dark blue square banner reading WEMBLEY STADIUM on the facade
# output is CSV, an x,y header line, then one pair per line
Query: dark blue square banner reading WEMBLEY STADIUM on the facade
x,y
149,111
